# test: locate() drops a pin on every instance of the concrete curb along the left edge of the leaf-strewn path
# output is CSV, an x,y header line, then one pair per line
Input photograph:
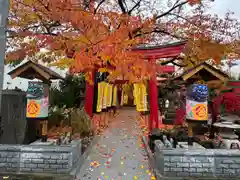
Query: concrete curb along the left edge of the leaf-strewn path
x,y
84,156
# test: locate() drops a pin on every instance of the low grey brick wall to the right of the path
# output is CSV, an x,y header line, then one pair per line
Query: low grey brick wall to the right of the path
x,y
202,163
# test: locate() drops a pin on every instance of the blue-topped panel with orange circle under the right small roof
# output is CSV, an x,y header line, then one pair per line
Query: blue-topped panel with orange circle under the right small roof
x,y
196,103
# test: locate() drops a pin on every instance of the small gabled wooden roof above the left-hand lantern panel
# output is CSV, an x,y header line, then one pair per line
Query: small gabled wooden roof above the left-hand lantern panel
x,y
32,70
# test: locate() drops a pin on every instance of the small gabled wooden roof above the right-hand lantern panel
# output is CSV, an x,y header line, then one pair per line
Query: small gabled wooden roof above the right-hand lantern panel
x,y
202,66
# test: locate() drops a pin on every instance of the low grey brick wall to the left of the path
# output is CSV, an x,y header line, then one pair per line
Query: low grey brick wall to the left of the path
x,y
41,159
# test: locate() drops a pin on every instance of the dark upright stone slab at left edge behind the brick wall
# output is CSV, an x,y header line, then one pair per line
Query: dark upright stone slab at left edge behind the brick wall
x,y
13,112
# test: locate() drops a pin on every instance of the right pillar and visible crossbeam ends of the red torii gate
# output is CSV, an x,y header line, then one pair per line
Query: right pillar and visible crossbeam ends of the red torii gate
x,y
153,54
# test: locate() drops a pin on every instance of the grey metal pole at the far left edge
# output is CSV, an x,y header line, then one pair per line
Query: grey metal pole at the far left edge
x,y
4,9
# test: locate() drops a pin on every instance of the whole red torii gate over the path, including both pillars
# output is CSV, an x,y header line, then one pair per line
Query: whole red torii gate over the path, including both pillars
x,y
152,54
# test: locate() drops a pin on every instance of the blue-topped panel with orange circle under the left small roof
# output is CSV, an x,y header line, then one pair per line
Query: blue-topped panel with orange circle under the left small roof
x,y
37,100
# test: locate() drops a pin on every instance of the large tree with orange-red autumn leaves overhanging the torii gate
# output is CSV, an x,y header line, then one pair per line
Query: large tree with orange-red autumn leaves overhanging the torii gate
x,y
81,34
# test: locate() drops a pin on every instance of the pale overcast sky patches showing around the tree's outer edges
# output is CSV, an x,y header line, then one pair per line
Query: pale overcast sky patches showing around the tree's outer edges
x,y
219,7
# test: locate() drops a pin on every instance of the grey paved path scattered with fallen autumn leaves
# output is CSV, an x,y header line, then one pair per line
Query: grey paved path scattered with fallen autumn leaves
x,y
119,155
